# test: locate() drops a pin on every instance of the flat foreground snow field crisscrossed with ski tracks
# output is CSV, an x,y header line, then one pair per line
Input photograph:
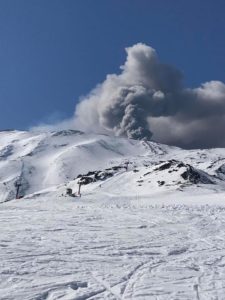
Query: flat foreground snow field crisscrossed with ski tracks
x,y
86,249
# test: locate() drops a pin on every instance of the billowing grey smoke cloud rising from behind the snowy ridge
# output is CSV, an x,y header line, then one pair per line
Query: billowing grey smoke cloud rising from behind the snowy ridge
x,y
148,101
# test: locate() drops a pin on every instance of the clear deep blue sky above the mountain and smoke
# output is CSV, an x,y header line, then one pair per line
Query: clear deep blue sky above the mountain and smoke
x,y
52,52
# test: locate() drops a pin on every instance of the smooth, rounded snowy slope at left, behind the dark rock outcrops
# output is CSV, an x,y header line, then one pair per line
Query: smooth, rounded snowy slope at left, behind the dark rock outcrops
x,y
47,159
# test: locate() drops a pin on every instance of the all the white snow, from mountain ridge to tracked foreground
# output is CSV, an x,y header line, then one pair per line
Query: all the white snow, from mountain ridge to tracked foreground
x,y
127,237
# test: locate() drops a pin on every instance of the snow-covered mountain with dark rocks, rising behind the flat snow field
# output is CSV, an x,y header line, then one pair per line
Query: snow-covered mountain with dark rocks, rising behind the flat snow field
x,y
51,162
